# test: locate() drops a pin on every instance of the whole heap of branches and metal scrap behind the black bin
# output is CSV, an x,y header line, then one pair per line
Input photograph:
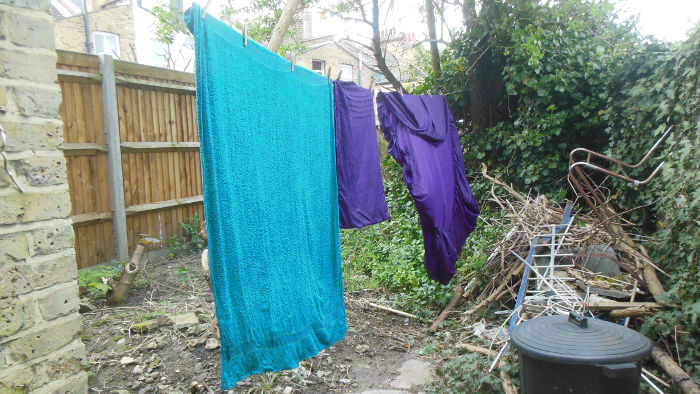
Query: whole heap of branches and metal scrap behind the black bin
x,y
611,276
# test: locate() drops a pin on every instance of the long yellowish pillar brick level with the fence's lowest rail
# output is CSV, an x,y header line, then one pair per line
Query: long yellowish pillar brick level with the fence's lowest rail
x,y
30,207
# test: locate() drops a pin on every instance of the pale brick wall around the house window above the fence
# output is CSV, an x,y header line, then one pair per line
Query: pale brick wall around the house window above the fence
x,y
70,32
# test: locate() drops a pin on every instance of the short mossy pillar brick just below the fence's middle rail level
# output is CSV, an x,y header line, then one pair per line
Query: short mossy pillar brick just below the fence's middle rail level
x,y
41,171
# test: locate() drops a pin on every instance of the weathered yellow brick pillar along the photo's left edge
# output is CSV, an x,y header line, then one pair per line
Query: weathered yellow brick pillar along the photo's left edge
x,y
40,347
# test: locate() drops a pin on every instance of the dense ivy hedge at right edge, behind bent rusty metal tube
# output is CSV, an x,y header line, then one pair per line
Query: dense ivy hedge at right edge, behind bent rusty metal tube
x,y
660,86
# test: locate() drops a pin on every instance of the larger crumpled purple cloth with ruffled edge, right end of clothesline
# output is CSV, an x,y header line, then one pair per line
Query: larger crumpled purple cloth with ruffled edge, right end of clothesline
x,y
423,138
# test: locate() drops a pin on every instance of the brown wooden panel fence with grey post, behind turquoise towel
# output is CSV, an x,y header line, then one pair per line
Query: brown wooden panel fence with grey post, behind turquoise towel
x,y
132,152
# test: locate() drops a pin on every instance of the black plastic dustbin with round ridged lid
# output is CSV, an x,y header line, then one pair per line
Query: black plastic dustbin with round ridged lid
x,y
571,354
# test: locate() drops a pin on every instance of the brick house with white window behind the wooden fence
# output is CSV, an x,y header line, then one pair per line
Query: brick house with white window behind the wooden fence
x,y
120,28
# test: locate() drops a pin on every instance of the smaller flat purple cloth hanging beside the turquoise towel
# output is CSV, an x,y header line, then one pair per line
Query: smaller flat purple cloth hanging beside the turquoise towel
x,y
361,199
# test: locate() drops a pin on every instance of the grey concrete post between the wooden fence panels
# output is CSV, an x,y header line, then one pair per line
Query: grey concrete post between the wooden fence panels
x,y
114,157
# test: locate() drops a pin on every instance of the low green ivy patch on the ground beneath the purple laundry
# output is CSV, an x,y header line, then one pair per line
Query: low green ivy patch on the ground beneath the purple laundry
x,y
390,254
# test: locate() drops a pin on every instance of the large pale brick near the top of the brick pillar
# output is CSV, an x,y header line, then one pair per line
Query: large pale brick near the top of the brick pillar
x,y
28,30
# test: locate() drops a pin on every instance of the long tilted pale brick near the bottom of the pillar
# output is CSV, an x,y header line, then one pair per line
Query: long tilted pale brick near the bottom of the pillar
x,y
42,341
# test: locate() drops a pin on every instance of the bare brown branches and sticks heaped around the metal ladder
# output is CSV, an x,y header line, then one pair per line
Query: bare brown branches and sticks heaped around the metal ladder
x,y
526,217
